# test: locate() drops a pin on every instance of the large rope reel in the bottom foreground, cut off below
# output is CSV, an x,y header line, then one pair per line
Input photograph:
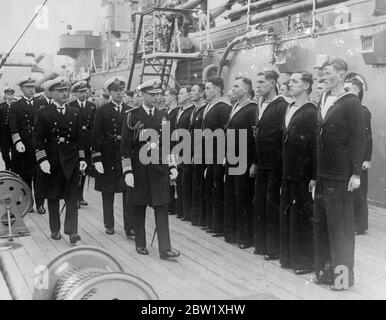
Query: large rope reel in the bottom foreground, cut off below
x,y
87,273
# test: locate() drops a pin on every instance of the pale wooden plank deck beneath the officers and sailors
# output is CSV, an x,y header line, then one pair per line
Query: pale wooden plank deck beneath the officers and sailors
x,y
208,268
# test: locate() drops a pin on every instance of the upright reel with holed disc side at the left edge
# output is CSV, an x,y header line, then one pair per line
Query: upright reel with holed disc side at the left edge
x,y
15,201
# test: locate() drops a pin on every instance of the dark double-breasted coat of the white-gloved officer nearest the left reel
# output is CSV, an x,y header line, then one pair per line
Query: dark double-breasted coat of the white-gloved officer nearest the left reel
x,y
57,138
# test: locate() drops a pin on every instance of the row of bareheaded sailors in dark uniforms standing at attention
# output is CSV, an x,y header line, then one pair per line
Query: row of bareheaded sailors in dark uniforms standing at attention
x,y
307,171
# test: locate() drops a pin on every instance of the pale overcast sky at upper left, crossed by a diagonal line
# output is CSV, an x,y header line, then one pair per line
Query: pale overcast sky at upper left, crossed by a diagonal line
x,y
16,14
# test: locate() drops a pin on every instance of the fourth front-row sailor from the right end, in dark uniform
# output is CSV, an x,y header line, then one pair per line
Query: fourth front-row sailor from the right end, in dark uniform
x,y
239,186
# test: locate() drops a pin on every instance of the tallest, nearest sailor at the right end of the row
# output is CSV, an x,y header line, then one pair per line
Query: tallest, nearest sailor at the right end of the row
x,y
340,153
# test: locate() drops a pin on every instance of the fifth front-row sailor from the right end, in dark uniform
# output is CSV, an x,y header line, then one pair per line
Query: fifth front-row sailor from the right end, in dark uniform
x,y
216,115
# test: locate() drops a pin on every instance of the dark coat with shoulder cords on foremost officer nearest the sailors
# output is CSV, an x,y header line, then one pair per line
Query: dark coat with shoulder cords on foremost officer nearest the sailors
x,y
151,181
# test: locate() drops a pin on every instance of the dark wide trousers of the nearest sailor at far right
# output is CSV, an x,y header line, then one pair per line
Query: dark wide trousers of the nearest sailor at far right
x,y
334,228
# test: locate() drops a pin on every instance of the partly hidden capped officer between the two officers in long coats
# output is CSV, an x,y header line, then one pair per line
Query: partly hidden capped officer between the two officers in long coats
x,y
87,113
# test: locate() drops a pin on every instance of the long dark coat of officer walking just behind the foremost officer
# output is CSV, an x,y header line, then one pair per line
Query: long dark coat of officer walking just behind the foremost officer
x,y
106,147
